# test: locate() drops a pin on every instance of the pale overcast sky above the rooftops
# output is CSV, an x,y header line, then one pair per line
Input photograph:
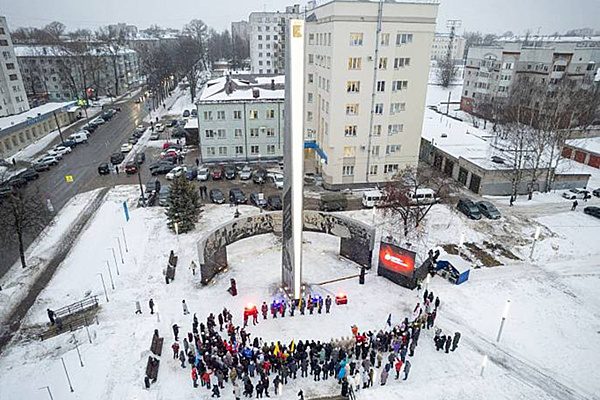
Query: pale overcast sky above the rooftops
x,y
496,16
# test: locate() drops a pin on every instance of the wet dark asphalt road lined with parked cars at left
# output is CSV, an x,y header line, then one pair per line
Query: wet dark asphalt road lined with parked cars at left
x,y
82,165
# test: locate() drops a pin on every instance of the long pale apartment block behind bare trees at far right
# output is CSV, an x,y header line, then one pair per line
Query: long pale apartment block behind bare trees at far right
x,y
490,71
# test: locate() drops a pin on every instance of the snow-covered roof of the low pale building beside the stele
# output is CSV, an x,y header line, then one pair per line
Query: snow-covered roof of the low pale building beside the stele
x,y
242,87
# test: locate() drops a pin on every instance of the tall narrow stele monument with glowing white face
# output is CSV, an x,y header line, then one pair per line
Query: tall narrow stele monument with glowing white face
x,y
293,158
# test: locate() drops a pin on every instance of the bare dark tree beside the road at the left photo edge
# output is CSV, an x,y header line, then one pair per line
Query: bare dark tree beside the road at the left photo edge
x,y
22,213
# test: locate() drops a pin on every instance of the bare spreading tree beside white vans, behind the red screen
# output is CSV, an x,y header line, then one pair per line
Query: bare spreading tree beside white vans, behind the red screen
x,y
400,200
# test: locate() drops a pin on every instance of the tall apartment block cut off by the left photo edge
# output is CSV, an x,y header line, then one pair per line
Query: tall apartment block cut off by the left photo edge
x,y
13,99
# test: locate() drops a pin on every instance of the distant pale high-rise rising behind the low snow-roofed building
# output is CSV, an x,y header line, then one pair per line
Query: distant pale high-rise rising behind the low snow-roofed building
x,y
267,39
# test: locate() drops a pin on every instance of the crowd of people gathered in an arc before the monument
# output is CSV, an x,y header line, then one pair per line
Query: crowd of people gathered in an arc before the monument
x,y
219,353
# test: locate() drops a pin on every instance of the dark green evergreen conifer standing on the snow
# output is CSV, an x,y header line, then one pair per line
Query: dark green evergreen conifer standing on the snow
x,y
184,205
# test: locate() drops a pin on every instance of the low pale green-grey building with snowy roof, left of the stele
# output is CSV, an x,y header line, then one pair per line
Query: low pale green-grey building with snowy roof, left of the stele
x,y
240,118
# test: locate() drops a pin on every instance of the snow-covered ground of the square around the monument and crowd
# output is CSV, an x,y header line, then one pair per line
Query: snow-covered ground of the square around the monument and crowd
x,y
548,349
